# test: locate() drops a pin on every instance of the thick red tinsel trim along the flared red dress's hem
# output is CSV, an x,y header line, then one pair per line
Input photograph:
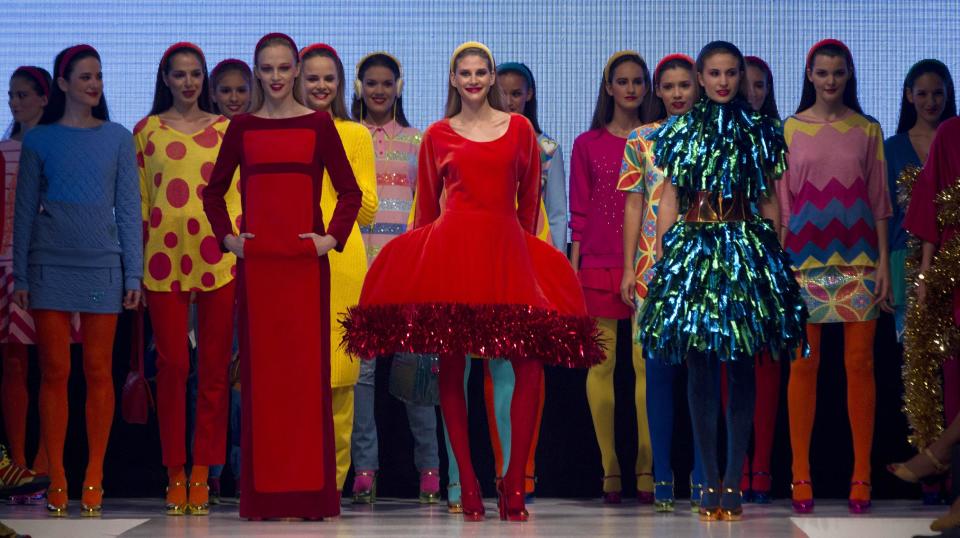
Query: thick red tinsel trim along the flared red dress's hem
x,y
515,332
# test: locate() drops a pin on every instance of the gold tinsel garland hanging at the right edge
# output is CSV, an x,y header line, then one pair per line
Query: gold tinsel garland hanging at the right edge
x,y
931,334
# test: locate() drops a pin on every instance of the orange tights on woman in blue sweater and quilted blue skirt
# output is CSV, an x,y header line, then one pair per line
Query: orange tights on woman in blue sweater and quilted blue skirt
x,y
53,333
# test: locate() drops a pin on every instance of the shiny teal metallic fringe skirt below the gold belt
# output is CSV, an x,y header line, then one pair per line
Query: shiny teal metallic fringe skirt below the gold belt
x,y
726,289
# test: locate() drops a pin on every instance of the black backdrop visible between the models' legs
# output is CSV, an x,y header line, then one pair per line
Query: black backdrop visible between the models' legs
x,y
568,459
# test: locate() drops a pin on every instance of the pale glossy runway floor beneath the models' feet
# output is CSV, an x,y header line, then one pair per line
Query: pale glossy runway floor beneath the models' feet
x,y
549,517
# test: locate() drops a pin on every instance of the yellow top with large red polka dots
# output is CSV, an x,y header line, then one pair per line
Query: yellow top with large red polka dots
x,y
180,251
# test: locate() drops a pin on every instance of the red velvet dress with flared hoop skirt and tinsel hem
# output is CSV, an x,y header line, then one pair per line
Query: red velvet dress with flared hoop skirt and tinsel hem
x,y
471,277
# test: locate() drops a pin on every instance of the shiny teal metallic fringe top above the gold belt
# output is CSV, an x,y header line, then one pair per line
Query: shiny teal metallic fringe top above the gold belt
x,y
721,148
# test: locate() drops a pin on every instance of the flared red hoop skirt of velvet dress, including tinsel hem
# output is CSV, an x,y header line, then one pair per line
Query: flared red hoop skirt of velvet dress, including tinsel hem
x,y
473,282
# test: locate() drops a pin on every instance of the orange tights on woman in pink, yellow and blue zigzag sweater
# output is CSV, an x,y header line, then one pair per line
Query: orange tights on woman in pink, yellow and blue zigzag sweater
x,y
861,400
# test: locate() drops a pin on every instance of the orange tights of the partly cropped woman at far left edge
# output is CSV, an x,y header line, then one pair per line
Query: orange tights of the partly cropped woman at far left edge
x,y
15,402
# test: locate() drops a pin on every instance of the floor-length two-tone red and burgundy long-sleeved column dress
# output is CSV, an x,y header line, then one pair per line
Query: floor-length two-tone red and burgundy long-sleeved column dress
x,y
283,290
